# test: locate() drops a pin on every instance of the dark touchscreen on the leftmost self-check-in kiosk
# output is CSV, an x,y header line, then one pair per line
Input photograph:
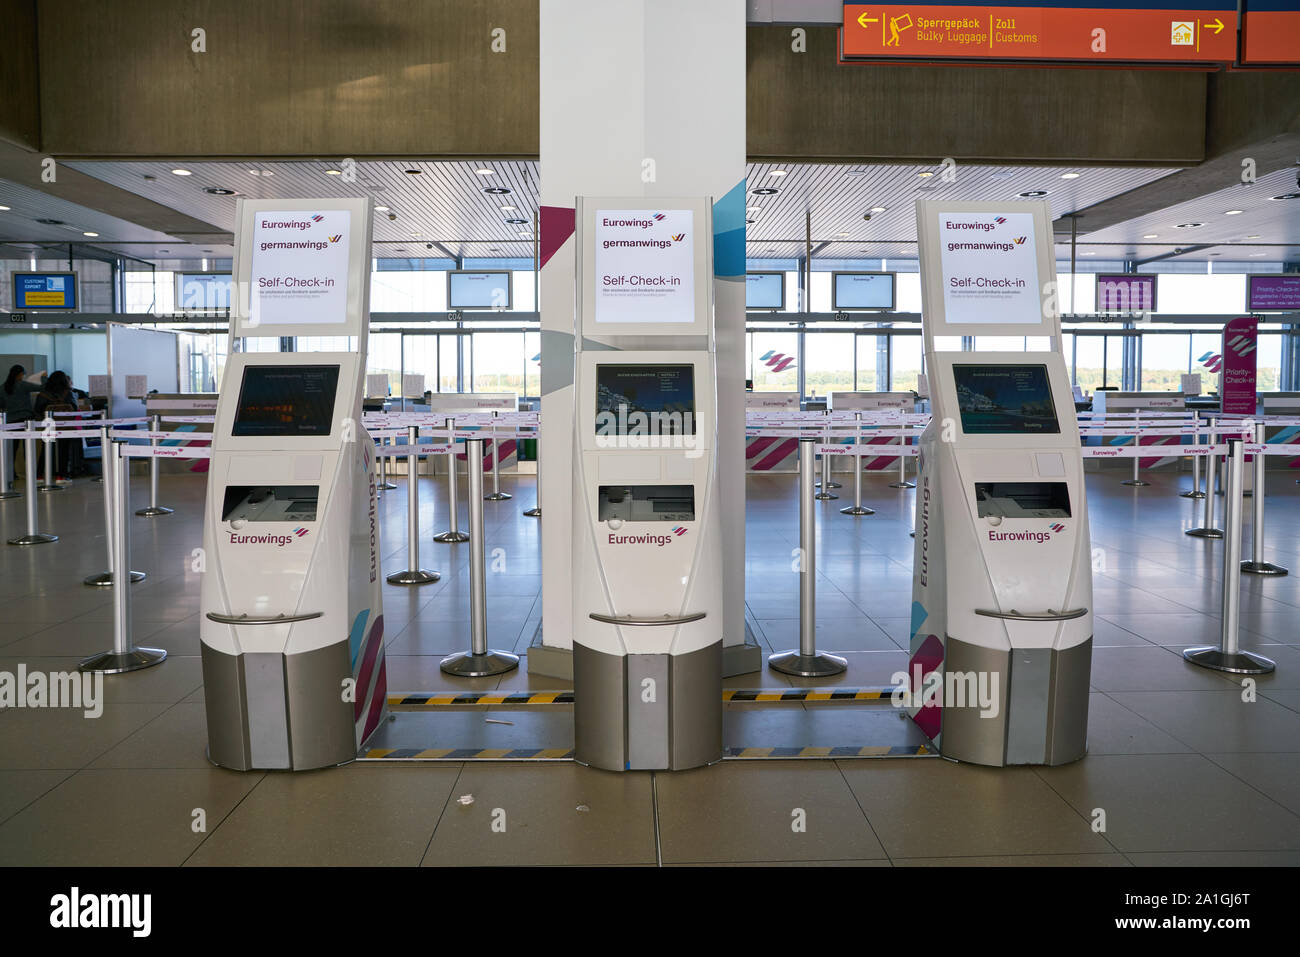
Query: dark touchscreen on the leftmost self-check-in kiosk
x,y
287,401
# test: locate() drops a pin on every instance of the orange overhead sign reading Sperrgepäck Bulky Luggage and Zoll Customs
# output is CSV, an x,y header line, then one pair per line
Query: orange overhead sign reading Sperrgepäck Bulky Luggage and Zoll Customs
x,y
1039,33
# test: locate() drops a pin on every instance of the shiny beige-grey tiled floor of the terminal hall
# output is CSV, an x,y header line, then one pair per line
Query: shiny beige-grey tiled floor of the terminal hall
x,y
1182,768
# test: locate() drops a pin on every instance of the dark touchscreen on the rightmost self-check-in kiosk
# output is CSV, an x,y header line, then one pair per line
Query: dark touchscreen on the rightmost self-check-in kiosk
x,y
1006,400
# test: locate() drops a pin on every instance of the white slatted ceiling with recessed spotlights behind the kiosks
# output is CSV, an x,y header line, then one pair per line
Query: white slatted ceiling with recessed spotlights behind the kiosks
x,y
445,203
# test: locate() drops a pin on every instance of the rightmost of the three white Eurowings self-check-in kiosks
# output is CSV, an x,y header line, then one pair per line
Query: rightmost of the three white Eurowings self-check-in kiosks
x,y
1002,625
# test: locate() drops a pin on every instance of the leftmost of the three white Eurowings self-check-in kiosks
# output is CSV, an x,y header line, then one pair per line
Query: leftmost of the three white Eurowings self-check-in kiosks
x,y
293,627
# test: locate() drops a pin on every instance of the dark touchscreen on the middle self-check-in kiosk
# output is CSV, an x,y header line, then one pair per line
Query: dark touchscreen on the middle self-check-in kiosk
x,y
645,400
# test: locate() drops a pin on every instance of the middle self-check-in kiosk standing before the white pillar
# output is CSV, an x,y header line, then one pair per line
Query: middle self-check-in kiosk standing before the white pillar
x,y
648,582
